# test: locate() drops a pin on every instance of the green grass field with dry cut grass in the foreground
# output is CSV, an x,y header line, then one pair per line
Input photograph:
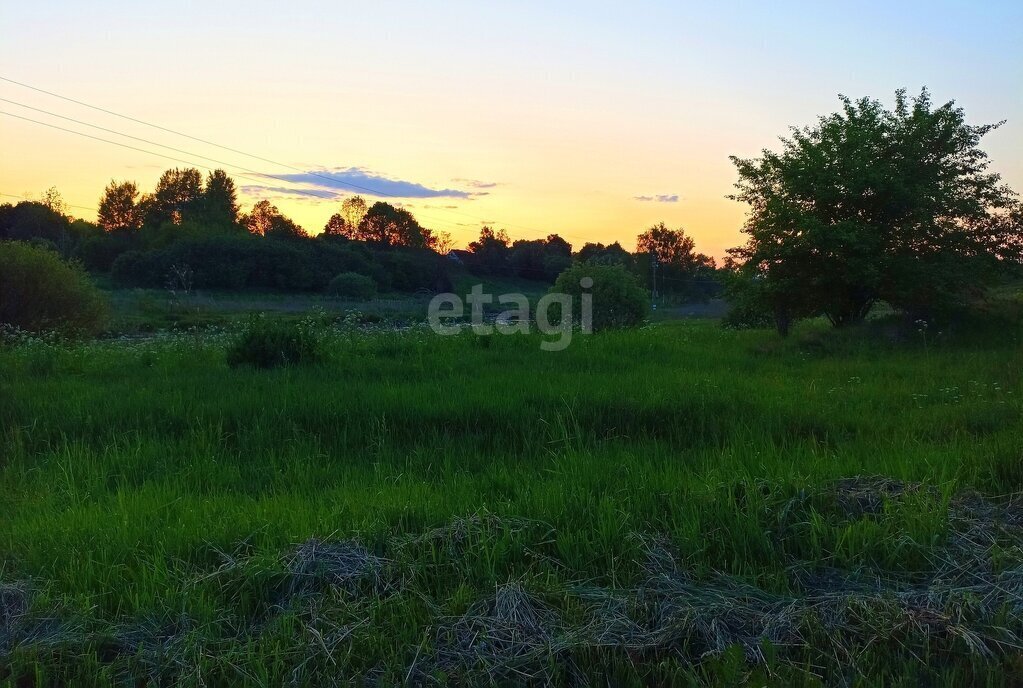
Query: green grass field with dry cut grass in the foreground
x,y
670,506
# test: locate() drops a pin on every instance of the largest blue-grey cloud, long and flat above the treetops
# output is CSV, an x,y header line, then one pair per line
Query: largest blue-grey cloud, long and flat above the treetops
x,y
334,184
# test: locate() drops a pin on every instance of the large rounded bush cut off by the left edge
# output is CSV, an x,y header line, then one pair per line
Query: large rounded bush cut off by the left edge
x,y
40,292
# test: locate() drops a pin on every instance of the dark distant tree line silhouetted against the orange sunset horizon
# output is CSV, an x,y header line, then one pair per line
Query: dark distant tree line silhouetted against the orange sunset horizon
x,y
191,233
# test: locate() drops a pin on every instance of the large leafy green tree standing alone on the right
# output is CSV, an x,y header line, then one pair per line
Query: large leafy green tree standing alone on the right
x,y
874,205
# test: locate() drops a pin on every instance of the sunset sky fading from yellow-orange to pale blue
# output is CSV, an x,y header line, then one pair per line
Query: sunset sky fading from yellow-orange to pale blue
x,y
592,120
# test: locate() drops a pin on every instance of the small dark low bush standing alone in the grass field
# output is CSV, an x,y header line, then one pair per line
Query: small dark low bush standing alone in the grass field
x,y
271,344
